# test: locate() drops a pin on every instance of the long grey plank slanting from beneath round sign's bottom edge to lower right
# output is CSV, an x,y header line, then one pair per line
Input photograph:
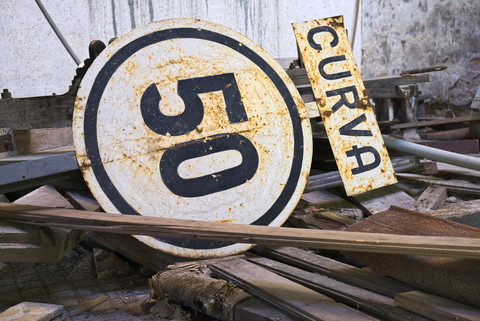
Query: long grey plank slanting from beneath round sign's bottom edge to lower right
x,y
355,297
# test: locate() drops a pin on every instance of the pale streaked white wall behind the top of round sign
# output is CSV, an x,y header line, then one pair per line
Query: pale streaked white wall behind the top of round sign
x,y
33,61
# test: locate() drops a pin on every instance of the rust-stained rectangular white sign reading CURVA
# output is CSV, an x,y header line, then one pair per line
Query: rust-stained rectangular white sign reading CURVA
x,y
349,119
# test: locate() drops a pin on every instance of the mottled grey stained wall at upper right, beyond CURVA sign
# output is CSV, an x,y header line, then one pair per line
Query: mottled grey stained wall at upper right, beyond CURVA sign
x,y
399,35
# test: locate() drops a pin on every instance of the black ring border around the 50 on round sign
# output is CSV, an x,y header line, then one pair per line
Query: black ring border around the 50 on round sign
x,y
107,71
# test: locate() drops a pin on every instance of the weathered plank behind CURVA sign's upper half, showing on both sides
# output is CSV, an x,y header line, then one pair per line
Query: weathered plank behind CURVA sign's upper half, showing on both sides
x,y
299,78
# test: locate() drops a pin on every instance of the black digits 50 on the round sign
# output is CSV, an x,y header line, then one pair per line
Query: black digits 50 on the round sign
x,y
188,120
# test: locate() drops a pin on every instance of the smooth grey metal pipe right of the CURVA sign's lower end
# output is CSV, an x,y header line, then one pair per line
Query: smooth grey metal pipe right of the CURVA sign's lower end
x,y
432,153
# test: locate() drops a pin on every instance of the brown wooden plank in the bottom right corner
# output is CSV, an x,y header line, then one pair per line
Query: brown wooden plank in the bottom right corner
x,y
435,307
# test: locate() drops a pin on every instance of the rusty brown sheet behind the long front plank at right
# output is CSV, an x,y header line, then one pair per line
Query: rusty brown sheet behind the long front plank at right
x,y
460,277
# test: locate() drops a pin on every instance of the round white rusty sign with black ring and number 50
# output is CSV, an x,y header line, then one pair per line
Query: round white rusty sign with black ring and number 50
x,y
189,119
